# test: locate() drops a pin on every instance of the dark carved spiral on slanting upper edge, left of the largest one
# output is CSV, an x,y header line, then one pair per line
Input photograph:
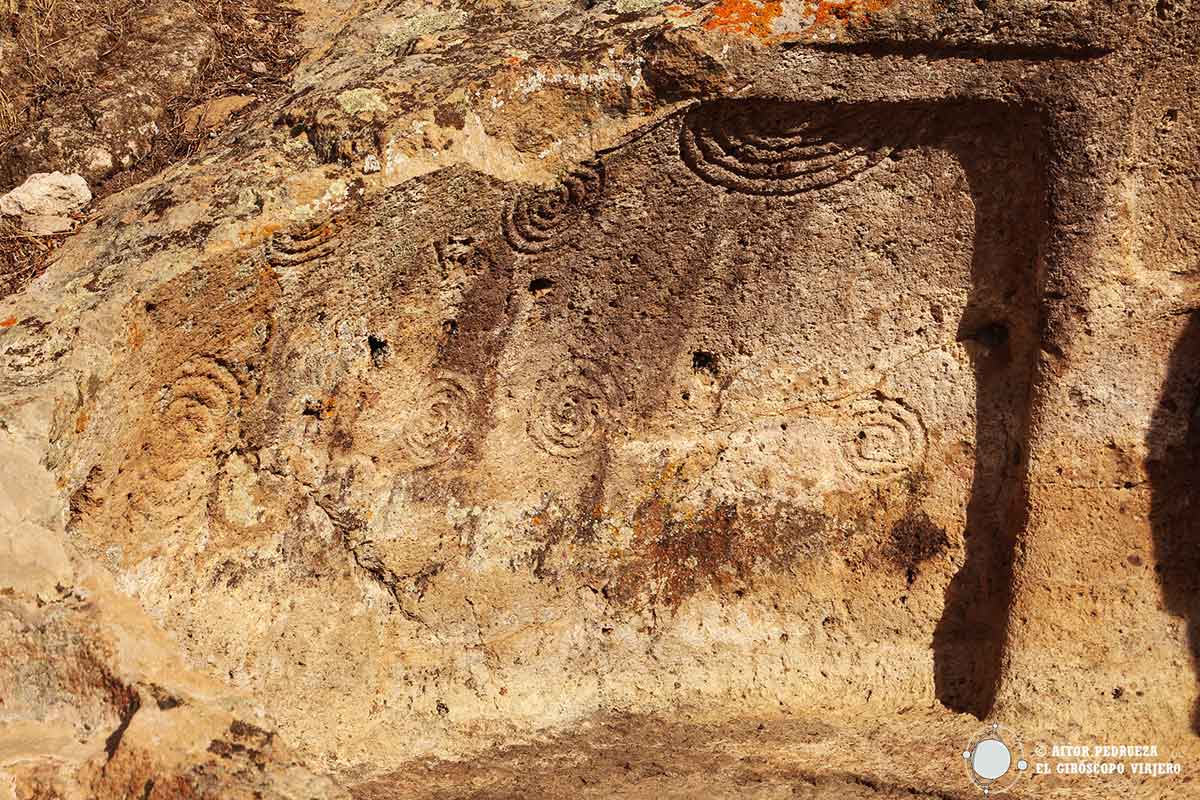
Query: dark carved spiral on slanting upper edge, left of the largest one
x,y
544,220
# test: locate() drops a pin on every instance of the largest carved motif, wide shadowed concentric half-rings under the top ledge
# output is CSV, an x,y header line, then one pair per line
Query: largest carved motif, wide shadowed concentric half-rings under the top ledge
x,y
773,148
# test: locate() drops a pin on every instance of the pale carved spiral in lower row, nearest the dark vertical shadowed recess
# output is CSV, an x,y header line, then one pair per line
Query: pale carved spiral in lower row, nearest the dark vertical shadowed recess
x,y
885,438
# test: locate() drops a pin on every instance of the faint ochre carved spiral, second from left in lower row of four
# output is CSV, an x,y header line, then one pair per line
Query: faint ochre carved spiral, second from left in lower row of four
x,y
441,420
